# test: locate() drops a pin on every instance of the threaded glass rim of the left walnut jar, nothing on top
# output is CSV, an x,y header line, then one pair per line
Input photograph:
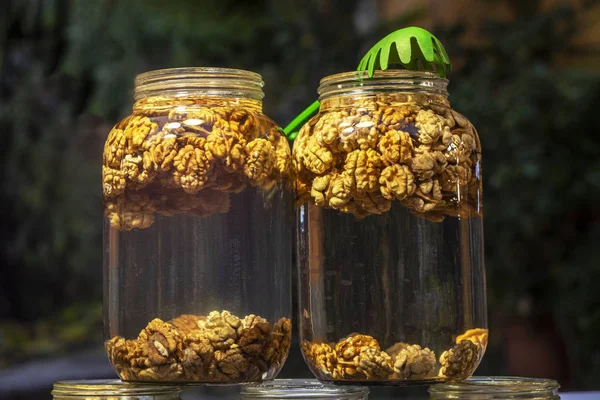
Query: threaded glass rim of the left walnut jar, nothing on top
x,y
210,81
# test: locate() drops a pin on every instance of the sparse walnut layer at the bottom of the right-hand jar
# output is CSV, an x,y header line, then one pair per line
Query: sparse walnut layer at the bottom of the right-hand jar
x,y
360,358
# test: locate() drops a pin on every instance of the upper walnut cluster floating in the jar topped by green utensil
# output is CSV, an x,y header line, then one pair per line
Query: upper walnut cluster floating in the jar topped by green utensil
x,y
359,156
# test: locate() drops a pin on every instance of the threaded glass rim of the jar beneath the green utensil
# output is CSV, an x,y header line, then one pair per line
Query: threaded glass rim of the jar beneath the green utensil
x,y
397,80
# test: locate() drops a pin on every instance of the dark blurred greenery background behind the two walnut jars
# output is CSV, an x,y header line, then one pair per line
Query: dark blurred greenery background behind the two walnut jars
x,y
527,74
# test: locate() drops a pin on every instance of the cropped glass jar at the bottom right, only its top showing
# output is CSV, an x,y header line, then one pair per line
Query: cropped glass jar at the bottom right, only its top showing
x,y
497,388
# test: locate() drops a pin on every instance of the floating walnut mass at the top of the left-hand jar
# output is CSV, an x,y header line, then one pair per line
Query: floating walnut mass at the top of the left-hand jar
x,y
183,156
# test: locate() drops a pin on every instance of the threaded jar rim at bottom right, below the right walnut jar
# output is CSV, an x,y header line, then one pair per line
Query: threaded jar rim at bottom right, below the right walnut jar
x,y
497,385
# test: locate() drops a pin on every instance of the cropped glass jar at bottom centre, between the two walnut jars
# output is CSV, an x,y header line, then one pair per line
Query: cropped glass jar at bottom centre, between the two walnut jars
x,y
302,389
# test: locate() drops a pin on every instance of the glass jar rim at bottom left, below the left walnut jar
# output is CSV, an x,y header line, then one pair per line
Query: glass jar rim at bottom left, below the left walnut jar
x,y
110,387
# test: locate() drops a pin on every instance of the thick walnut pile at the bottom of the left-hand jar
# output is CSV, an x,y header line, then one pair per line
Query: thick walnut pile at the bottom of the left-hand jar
x,y
220,348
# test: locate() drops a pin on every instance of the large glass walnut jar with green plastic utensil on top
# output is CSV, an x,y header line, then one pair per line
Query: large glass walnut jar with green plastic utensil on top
x,y
390,234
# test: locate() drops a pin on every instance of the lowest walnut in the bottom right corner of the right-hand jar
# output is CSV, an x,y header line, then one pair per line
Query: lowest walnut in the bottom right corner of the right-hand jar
x,y
459,362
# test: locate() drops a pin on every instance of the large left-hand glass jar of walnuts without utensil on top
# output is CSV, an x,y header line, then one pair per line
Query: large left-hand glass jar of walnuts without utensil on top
x,y
198,231
